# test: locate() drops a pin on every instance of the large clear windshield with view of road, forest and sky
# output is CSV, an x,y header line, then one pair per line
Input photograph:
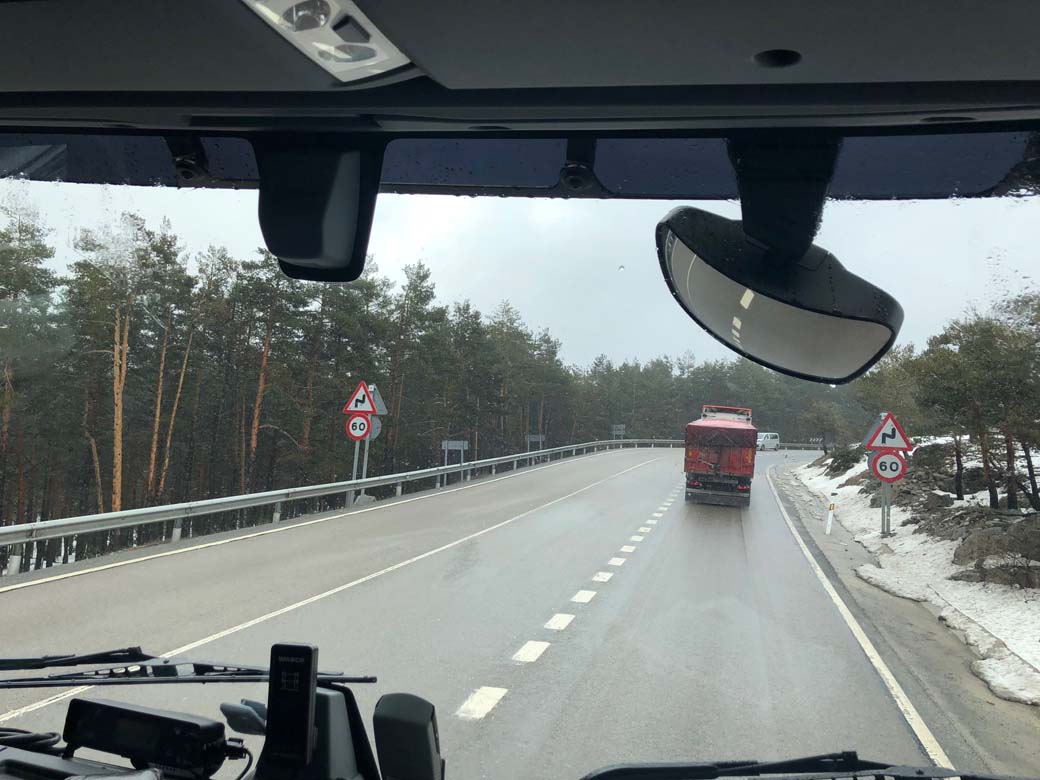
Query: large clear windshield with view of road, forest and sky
x,y
603,570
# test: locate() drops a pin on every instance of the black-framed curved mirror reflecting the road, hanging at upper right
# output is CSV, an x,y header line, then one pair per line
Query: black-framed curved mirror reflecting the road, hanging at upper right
x,y
808,317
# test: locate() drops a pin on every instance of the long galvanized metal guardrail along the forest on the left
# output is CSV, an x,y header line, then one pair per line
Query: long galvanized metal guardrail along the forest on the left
x,y
13,535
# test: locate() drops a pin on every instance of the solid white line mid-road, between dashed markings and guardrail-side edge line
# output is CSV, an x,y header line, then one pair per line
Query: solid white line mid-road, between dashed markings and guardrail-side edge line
x,y
333,591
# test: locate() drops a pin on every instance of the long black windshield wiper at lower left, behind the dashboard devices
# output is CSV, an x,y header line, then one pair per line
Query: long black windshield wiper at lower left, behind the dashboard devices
x,y
164,671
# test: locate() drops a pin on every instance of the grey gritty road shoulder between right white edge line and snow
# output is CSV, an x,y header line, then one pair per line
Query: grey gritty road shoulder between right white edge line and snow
x,y
976,729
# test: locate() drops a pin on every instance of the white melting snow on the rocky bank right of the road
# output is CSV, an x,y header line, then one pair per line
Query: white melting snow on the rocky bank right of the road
x,y
1002,625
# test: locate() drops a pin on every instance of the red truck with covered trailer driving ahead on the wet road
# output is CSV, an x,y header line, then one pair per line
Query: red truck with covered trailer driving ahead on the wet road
x,y
720,458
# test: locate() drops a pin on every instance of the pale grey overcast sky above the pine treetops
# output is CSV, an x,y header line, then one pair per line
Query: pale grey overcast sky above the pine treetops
x,y
588,270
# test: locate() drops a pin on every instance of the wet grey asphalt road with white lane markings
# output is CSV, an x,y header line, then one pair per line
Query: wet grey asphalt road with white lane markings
x,y
561,618
